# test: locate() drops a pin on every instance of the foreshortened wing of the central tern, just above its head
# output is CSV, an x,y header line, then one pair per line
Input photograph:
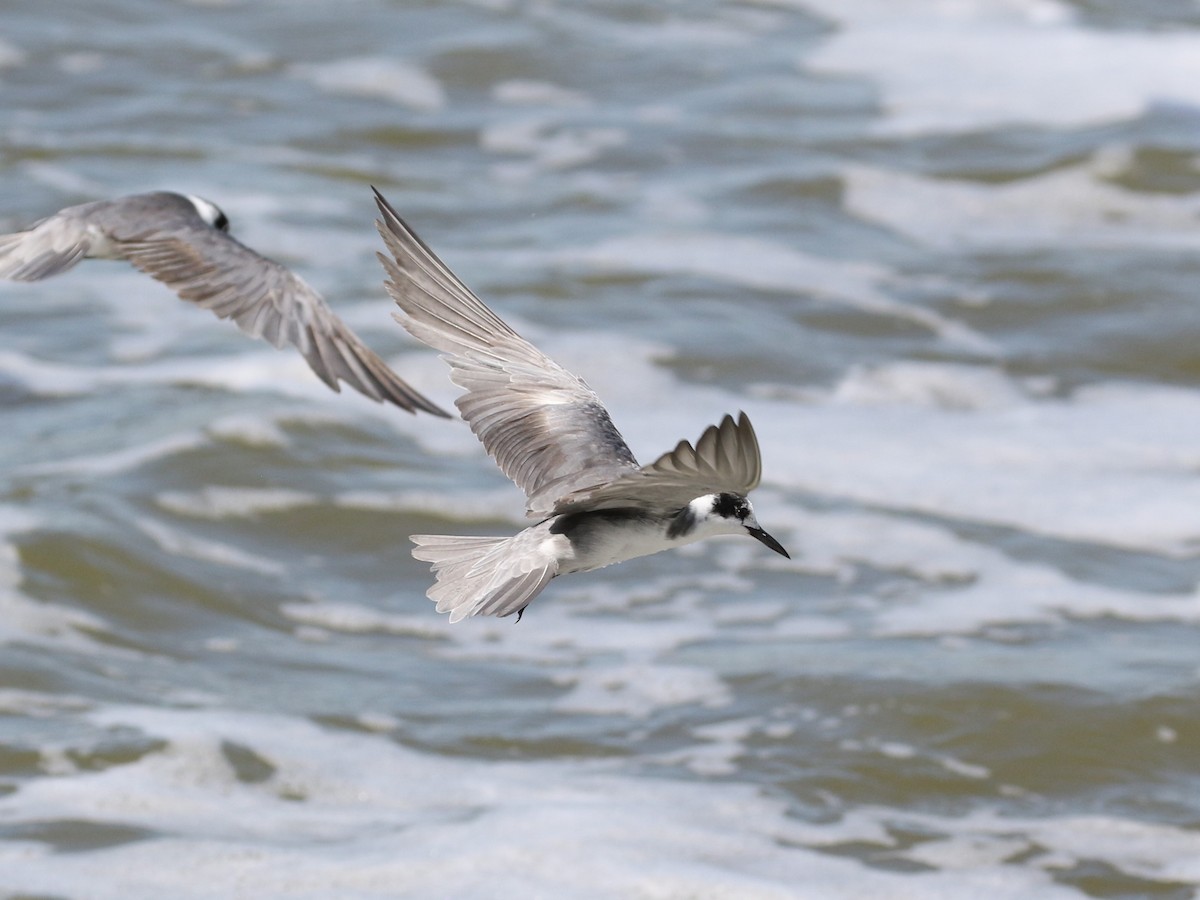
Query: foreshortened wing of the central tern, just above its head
x,y
727,459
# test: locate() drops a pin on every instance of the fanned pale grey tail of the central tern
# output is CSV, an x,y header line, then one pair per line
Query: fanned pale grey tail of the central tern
x,y
485,577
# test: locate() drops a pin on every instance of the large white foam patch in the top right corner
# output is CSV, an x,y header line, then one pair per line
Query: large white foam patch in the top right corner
x,y
969,65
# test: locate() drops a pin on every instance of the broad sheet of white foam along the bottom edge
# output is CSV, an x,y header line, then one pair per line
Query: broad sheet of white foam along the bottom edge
x,y
355,814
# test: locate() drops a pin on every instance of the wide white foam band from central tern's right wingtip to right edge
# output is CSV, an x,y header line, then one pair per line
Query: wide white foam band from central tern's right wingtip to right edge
x,y
1054,467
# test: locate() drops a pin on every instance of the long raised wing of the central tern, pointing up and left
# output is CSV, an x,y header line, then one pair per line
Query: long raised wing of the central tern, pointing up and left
x,y
544,427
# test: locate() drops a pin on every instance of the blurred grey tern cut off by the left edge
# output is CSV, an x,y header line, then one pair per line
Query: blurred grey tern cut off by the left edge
x,y
184,242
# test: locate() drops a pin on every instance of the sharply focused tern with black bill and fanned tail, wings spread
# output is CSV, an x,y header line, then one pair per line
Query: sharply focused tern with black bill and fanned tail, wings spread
x,y
550,434
